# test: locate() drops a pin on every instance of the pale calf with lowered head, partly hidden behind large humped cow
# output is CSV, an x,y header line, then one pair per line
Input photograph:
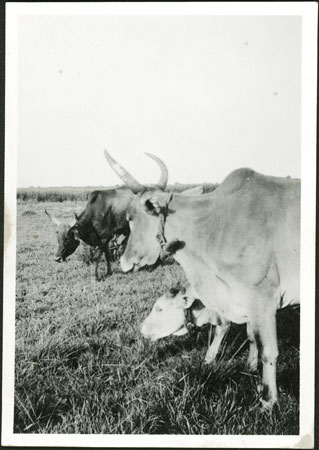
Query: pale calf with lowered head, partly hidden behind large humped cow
x,y
177,311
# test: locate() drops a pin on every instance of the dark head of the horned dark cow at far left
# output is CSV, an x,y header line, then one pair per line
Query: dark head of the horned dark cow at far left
x,y
67,241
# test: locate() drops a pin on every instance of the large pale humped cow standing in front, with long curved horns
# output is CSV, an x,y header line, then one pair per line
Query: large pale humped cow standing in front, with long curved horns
x,y
239,247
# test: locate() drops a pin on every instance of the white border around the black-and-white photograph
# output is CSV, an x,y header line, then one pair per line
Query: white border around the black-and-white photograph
x,y
309,12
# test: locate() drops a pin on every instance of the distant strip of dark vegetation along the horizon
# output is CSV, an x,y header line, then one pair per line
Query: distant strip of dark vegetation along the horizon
x,y
61,194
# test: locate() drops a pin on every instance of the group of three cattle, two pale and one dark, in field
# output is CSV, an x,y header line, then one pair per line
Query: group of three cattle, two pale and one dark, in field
x,y
238,245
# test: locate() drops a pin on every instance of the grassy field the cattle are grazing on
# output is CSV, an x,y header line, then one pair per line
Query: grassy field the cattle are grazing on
x,y
82,365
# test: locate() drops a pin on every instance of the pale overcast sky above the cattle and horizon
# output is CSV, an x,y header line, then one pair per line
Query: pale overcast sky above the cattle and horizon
x,y
207,94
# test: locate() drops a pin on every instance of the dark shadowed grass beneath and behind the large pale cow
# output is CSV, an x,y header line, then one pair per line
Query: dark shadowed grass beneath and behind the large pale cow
x,y
231,361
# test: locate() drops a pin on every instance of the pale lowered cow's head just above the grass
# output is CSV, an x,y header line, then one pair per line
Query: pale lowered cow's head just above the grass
x,y
168,314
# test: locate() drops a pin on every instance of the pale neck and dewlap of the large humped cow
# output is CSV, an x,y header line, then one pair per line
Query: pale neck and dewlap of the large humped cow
x,y
196,221
